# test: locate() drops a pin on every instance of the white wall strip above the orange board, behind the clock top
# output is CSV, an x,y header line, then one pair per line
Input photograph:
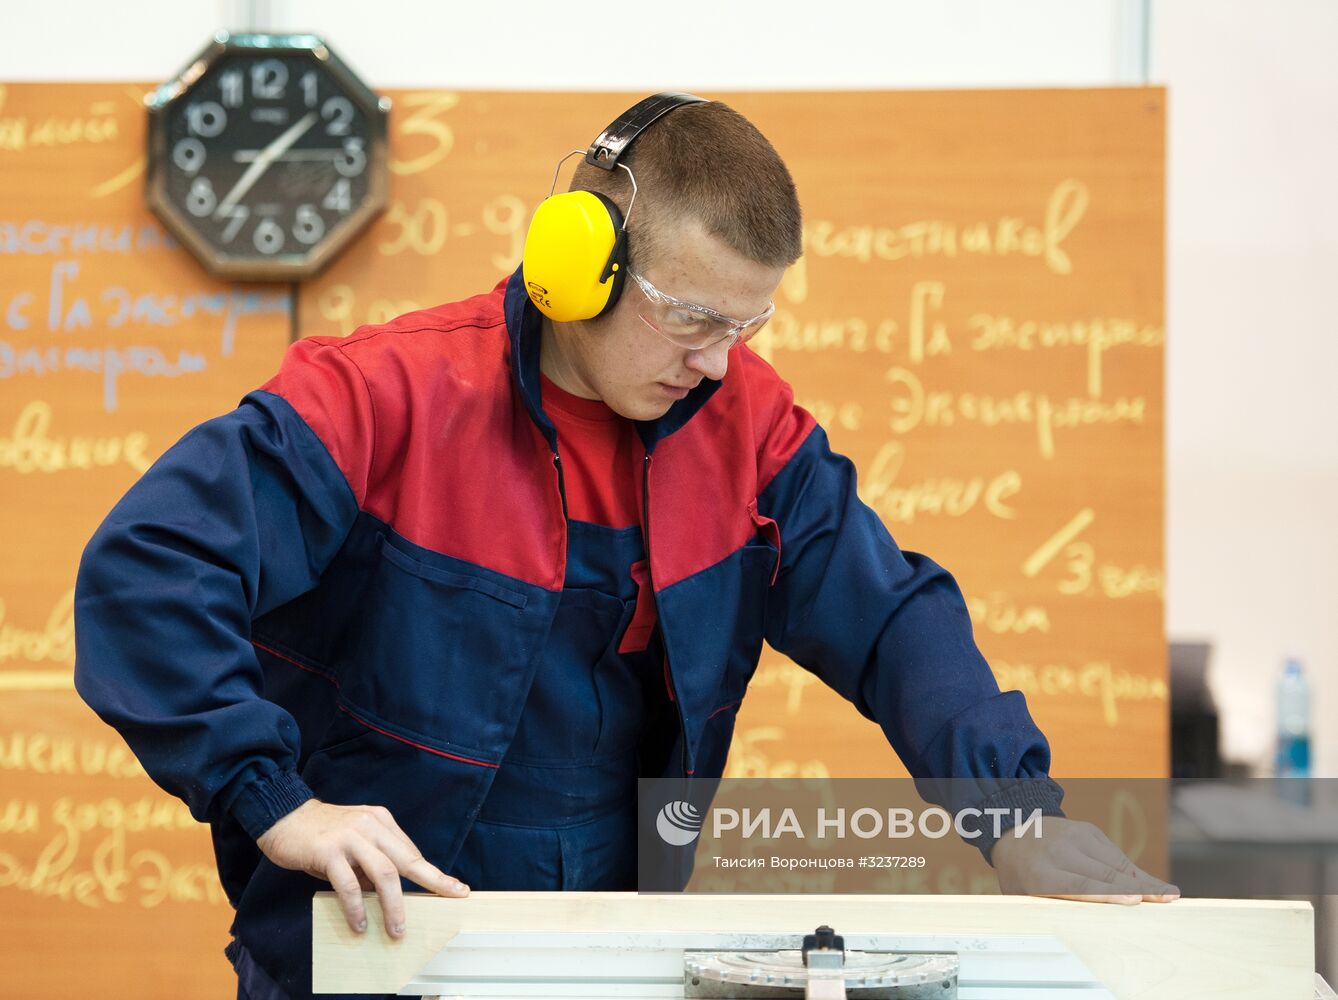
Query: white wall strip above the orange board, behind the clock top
x,y
579,45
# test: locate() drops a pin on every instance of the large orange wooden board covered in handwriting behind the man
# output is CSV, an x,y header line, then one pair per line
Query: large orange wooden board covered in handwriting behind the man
x,y
977,321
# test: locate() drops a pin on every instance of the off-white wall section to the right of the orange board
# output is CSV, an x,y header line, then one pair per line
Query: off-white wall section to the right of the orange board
x,y
1253,349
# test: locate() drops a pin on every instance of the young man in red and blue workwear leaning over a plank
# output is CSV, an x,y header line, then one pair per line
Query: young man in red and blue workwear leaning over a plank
x,y
441,592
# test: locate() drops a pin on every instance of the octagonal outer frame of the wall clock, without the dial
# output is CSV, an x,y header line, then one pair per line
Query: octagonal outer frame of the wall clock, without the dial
x,y
282,267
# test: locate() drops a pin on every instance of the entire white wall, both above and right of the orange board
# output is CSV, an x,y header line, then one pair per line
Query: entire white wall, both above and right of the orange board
x,y
1253,242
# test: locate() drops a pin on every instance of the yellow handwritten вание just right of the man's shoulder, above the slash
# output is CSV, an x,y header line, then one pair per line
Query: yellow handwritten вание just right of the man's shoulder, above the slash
x,y
937,497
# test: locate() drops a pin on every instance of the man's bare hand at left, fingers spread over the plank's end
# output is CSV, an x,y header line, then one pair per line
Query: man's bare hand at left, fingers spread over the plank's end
x,y
355,848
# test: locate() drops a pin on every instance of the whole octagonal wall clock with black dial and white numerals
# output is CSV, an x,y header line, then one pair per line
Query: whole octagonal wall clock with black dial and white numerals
x,y
270,160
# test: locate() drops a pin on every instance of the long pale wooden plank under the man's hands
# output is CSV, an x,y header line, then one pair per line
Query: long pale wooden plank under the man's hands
x,y
1225,950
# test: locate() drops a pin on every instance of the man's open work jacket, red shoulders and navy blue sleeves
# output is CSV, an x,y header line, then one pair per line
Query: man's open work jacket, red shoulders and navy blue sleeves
x,y
343,588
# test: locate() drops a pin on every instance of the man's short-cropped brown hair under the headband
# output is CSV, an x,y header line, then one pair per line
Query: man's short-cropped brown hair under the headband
x,y
707,163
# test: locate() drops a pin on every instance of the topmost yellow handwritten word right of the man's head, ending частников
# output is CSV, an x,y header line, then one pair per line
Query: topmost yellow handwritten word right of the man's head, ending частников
x,y
1008,235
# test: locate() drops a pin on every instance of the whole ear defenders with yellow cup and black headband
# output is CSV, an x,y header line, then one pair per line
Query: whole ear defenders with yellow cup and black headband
x,y
576,254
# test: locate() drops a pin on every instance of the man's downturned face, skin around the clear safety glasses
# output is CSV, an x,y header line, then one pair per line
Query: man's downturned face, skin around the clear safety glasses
x,y
635,370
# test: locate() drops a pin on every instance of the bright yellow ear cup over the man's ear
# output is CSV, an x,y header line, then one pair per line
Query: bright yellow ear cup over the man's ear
x,y
575,256
